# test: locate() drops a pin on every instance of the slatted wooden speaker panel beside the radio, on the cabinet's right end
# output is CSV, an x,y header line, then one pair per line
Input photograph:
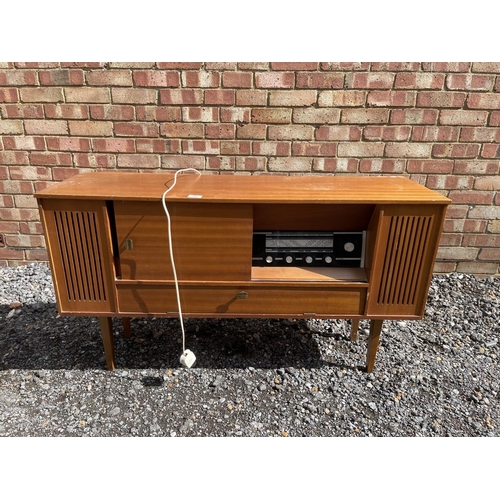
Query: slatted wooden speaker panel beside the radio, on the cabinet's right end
x,y
405,250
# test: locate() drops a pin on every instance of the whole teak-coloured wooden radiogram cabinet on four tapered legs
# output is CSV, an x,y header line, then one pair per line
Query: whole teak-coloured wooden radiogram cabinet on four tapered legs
x,y
244,246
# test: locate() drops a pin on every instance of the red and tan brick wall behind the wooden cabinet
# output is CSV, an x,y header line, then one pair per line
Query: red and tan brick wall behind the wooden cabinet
x,y
437,123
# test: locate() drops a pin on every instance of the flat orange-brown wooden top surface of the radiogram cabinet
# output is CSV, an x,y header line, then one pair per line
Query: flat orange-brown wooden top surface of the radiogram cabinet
x,y
243,189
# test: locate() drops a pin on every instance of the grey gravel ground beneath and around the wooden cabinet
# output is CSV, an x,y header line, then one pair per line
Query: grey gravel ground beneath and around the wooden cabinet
x,y
435,377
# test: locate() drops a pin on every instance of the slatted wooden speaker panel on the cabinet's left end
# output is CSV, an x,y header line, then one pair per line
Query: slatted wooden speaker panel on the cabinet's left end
x,y
79,247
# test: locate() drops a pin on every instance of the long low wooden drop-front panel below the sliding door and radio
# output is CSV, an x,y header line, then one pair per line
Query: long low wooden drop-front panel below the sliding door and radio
x,y
227,300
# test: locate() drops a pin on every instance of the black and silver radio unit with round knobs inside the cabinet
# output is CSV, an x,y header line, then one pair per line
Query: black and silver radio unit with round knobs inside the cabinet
x,y
308,248
